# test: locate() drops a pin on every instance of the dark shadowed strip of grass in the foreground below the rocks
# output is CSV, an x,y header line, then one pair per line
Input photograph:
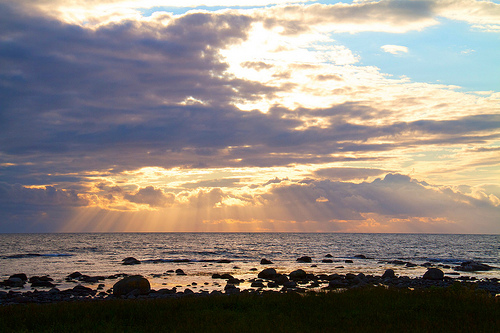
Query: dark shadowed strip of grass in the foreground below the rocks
x,y
455,309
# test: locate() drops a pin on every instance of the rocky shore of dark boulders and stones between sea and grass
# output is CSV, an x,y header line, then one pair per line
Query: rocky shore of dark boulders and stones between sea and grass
x,y
45,290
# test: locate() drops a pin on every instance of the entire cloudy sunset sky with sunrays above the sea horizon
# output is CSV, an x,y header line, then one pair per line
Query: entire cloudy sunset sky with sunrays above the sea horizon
x,y
250,116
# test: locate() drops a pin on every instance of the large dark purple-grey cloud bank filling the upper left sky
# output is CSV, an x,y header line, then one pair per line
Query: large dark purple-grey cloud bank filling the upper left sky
x,y
110,99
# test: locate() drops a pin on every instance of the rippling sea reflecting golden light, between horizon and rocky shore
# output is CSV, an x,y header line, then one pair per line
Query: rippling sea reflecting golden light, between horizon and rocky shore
x,y
199,255
